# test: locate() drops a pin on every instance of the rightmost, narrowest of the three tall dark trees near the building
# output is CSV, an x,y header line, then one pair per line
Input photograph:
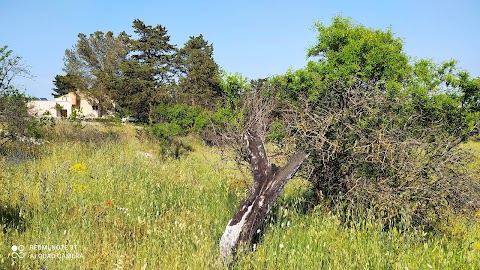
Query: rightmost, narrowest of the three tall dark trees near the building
x,y
200,84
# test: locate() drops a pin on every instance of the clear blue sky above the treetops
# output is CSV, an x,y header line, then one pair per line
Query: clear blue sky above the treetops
x,y
255,38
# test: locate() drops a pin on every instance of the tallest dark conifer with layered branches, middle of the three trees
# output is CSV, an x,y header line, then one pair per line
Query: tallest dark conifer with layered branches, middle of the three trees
x,y
148,72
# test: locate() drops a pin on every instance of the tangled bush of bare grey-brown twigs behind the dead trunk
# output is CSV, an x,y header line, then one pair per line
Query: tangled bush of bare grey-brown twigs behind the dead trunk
x,y
396,155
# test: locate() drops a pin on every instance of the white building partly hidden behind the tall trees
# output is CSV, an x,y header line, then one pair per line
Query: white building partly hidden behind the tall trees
x,y
63,106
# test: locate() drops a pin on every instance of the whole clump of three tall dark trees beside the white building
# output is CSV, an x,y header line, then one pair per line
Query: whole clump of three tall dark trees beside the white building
x,y
142,71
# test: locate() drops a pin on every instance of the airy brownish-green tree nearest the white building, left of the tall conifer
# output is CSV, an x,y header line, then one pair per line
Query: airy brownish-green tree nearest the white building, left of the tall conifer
x,y
92,66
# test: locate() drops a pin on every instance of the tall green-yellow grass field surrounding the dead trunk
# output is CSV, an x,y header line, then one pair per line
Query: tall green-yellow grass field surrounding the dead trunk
x,y
119,204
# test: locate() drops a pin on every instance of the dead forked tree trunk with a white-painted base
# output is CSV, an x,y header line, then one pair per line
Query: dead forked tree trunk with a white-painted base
x,y
269,180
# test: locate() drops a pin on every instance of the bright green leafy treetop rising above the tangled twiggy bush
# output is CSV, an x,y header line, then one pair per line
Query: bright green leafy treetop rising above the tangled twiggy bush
x,y
347,51
